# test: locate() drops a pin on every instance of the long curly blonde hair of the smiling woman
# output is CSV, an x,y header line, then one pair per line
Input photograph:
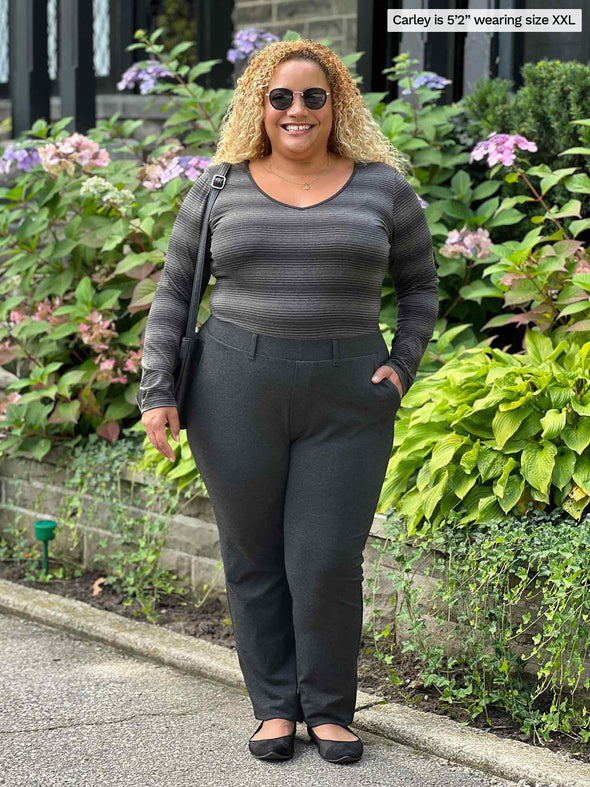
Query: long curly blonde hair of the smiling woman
x,y
355,133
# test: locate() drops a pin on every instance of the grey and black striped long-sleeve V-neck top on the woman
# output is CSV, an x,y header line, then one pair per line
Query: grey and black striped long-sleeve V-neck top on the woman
x,y
310,273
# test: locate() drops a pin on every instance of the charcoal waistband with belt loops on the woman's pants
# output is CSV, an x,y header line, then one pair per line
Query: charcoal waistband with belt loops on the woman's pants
x,y
292,349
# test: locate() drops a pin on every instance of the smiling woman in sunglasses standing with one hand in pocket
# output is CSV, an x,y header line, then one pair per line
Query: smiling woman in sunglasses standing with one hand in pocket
x,y
295,398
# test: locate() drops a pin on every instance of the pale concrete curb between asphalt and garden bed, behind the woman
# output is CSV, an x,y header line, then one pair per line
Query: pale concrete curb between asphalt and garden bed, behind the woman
x,y
426,732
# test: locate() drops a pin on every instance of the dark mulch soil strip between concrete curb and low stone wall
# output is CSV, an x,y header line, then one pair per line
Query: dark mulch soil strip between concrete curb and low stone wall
x,y
210,621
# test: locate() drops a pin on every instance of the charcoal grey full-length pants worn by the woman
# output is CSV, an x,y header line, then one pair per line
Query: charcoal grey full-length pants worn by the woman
x,y
292,440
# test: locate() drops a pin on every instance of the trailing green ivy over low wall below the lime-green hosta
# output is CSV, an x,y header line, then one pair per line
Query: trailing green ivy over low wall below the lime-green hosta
x,y
504,621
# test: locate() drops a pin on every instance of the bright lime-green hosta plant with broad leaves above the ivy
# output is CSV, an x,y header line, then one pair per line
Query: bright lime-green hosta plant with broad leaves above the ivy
x,y
490,431
